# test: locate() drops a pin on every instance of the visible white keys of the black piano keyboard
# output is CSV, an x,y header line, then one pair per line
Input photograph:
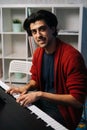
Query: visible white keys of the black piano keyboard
x,y
39,113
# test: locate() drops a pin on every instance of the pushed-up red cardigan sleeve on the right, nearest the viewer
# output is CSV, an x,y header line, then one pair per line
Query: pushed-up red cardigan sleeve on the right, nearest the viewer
x,y
76,72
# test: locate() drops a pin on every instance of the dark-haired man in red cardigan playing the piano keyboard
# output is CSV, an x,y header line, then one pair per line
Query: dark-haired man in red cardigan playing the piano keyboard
x,y
58,73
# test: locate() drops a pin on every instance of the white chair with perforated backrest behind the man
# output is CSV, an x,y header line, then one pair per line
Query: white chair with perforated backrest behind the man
x,y
20,67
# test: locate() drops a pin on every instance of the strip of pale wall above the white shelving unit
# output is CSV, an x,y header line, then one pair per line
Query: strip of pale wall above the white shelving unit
x,y
84,2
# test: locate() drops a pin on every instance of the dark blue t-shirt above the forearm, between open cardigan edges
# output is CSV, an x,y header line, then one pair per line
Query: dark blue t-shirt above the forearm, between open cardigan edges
x,y
48,72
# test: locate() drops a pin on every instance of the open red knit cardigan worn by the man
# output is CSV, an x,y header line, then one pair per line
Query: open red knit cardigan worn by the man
x,y
70,77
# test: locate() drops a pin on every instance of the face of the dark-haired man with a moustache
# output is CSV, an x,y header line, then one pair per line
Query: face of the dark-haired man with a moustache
x,y
41,33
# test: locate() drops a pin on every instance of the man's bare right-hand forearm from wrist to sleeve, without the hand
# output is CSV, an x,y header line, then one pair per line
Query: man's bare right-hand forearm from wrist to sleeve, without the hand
x,y
62,99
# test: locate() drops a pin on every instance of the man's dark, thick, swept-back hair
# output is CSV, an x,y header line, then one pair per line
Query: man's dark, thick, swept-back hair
x,y
45,15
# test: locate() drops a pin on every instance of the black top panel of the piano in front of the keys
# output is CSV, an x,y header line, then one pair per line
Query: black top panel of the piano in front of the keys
x,y
15,117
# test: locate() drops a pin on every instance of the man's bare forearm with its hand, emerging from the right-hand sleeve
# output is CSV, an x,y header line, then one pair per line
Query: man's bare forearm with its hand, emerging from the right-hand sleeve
x,y
63,99
